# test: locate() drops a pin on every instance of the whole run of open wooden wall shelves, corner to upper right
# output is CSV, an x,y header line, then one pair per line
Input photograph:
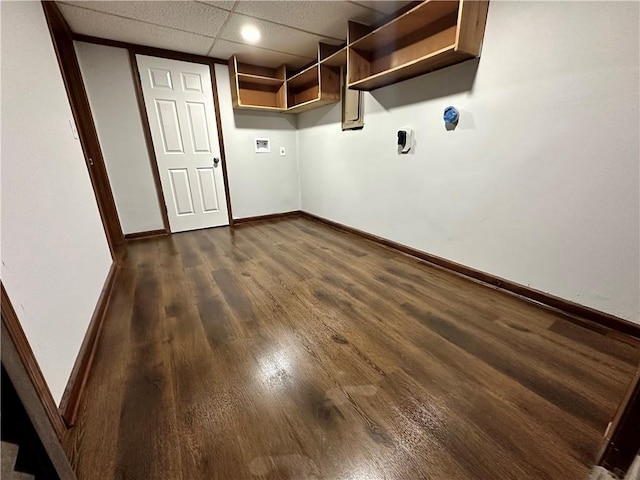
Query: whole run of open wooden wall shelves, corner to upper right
x,y
433,34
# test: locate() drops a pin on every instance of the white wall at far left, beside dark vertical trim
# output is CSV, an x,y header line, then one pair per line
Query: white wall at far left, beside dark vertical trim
x,y
55,257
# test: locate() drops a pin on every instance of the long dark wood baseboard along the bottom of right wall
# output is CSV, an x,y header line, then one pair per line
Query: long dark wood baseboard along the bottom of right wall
x,y
568,307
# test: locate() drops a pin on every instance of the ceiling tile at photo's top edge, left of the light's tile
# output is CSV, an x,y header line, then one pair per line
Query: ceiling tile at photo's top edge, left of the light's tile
x,y
188,16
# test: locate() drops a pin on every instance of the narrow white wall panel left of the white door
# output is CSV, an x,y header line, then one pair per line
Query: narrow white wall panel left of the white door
x,y
109,82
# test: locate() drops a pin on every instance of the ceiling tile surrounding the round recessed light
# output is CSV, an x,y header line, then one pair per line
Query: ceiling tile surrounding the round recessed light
x,y
274,37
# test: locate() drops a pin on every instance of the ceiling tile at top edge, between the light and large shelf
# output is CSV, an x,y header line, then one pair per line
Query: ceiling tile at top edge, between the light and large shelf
x,y
328,18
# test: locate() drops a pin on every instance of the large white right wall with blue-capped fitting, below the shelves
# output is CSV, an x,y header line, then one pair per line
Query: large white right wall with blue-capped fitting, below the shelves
x,y
538,184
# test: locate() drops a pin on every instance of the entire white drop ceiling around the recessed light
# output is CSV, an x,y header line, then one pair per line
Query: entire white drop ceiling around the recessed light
x,y
290,30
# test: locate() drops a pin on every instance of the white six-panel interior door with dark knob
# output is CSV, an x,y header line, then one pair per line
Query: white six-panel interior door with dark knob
x,y
179,100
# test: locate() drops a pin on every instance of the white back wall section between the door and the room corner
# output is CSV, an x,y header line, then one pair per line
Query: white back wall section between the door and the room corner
x,y
260,183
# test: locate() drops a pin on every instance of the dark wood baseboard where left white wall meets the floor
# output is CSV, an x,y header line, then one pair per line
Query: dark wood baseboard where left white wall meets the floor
x,y
79,375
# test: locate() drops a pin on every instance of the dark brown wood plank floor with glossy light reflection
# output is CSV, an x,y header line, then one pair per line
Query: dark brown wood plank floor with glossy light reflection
x,y
289,350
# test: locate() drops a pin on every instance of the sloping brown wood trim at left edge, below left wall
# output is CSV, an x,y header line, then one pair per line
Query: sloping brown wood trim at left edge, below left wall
x,y
19,340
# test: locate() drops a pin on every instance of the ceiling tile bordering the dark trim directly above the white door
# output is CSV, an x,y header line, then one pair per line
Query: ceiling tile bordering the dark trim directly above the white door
x,y
88,22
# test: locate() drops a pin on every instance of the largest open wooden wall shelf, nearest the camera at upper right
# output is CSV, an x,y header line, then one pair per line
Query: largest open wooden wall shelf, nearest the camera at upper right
x,y
430,36
